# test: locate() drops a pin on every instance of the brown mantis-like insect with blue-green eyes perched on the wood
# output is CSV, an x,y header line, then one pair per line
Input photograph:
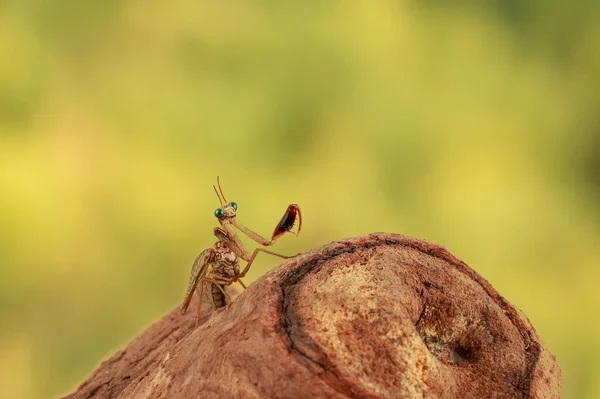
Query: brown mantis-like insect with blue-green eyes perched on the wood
x,y
223,257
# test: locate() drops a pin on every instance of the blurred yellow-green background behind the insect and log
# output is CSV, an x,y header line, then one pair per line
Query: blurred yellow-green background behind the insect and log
x,y
473,124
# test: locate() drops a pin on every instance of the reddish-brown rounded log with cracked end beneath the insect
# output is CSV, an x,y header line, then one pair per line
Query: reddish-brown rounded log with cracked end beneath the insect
x,y
380,316
